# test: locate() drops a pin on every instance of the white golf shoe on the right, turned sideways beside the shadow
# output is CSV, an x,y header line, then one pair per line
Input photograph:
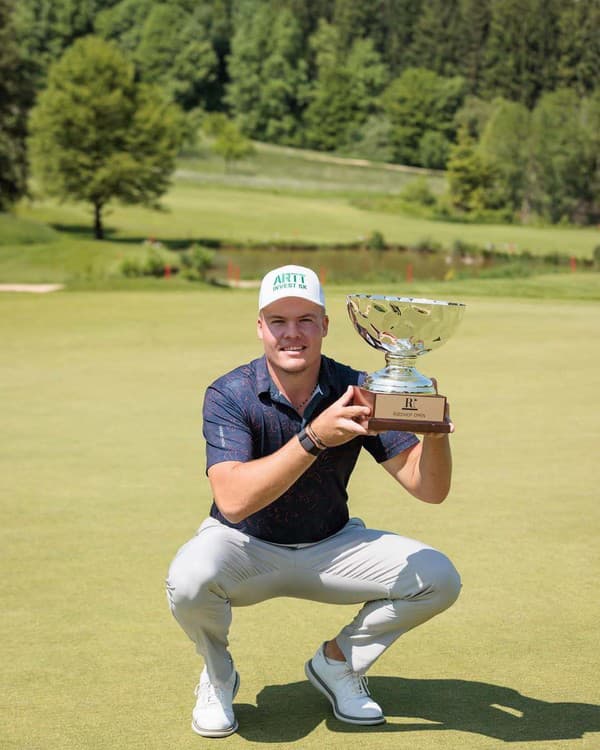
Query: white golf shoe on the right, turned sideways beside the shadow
x,y
346,690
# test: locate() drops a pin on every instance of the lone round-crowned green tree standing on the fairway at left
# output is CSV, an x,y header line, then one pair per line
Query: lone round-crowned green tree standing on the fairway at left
x,y
98,136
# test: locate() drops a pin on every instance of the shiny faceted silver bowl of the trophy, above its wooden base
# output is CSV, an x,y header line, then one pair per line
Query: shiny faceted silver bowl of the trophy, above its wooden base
x,y
404,328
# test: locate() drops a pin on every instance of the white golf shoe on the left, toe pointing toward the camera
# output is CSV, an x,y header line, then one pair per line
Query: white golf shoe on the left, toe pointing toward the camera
x,y
213,713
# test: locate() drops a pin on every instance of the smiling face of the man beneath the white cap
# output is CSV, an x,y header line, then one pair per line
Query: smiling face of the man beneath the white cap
x,y
292,330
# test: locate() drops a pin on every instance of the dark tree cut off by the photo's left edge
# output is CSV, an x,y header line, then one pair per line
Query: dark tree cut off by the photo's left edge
x,y
16,94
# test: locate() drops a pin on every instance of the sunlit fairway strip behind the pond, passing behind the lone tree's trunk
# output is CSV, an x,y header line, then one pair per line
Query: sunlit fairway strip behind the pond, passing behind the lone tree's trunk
x,y
195,211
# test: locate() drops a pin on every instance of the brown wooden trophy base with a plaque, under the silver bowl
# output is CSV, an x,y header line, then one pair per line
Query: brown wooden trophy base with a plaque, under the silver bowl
x,y
407,412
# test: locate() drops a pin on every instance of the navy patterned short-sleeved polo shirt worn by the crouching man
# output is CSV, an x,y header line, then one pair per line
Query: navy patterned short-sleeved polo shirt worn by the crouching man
x,y
246,417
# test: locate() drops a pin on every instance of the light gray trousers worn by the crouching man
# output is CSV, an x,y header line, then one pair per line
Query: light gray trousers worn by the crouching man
x,y
400,581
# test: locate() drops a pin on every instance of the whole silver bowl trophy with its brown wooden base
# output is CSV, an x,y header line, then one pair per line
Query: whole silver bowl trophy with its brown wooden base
x,y
404,328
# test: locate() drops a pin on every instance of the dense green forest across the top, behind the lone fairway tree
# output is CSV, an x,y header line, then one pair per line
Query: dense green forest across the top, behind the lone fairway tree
x,y
501,93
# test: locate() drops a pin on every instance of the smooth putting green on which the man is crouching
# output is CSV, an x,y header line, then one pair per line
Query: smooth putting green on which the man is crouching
x,y
102,467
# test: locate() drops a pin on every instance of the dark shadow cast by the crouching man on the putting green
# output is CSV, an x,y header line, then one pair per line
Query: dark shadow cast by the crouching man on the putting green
x,y
286,713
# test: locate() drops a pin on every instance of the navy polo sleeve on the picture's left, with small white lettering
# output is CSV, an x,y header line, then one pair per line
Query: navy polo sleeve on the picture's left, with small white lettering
x,y
225,427
